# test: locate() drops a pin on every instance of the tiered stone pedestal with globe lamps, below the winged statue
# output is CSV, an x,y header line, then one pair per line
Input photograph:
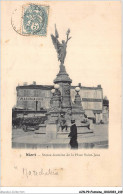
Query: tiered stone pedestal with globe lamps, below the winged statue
x,y
61,103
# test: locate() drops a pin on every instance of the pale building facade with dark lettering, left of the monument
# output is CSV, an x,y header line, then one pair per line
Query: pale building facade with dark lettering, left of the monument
x,y
33,97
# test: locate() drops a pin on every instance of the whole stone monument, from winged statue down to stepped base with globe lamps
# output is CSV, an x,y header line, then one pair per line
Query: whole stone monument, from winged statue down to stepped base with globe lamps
x,y
62,107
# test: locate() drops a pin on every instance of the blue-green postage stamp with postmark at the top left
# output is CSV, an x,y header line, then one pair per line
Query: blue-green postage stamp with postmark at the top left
x,y
35,20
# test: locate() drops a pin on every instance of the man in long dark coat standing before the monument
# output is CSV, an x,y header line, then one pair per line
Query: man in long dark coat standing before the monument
x,y
73,135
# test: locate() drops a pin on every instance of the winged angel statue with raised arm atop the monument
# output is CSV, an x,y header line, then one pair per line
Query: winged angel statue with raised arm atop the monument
x,y
60,47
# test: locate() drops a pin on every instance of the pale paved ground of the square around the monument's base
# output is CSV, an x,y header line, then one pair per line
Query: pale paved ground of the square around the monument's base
x,y
97,139
